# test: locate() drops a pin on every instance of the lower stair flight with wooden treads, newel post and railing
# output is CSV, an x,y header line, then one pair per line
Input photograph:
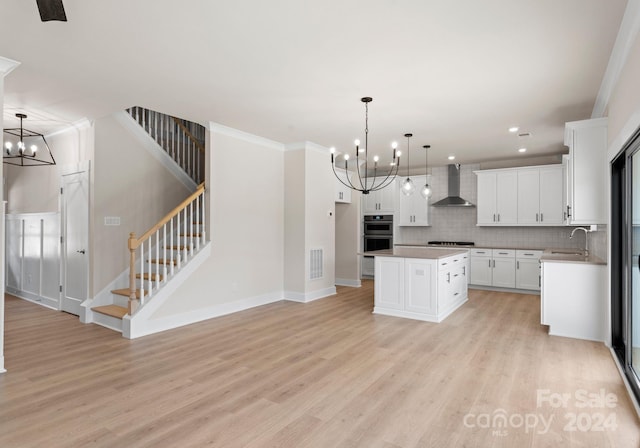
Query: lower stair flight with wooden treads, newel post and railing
x,y
155,258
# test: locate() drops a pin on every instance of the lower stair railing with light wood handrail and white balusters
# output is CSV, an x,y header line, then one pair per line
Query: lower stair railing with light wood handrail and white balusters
x,y
158,251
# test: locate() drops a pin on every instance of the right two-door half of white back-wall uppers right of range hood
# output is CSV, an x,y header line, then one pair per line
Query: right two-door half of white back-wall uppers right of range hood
x,y
540,196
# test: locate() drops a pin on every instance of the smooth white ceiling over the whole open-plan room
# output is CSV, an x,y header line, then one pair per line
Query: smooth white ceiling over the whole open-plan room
x,y
456,74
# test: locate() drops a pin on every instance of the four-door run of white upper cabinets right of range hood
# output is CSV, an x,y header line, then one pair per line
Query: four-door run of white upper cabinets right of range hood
x,y
526,196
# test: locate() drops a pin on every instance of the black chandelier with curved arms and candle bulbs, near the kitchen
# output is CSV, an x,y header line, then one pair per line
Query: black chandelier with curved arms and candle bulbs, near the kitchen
x,y
380,178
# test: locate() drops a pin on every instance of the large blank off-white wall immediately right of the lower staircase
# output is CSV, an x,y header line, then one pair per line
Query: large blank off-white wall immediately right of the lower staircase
x,y
246,187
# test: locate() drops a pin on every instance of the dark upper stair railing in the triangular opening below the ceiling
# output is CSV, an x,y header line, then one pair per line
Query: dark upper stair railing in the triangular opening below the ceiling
x,y
182,140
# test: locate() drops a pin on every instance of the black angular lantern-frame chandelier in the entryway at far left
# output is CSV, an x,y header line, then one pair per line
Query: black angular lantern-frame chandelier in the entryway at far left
x,y
23,147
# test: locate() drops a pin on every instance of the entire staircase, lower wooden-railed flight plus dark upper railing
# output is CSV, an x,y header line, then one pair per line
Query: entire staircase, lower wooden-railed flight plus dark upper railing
x,y
164,250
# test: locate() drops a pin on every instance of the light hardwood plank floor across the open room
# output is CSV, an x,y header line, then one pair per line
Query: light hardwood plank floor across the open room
x,y
324,374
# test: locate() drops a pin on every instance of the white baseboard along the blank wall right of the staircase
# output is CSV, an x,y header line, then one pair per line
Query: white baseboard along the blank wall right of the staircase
x,y
151,326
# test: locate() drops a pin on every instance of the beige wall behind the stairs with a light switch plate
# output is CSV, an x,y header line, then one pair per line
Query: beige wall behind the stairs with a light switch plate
x,y
128,182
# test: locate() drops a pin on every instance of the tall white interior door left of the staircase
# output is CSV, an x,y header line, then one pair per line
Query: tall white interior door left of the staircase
x,y
75,240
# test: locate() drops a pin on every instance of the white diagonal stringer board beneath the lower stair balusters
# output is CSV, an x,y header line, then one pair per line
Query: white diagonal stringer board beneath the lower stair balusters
x,y
138,325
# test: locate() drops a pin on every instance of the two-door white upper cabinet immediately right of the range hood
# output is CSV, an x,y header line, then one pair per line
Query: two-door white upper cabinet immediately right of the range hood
x,y
497,197
